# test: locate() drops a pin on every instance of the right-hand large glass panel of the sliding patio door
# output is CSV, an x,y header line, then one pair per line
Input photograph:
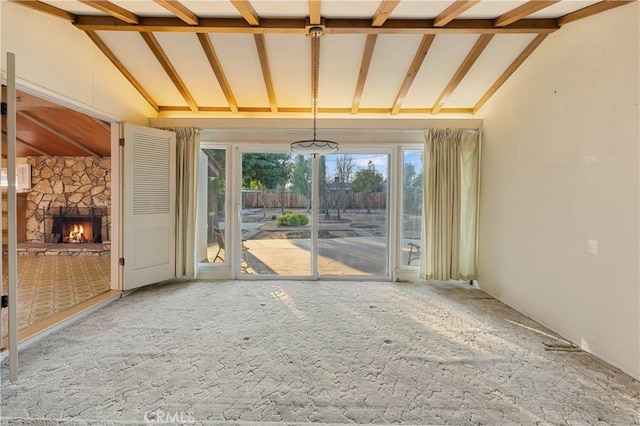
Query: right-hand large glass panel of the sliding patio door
x,y
353,214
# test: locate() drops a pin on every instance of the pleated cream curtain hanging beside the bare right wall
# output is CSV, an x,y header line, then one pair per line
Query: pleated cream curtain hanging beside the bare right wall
x,y
450,204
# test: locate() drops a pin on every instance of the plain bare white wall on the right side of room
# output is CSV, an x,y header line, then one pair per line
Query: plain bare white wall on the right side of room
x,y
560,206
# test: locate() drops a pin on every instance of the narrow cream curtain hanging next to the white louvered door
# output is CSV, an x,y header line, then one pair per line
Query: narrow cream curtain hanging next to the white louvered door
x,y
188,147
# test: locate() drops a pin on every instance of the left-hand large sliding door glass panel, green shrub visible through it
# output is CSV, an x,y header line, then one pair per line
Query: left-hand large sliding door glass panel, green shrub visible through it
x,y
275,214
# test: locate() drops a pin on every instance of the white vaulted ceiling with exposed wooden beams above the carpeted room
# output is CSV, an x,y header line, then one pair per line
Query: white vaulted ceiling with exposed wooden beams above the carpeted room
x,y
254,57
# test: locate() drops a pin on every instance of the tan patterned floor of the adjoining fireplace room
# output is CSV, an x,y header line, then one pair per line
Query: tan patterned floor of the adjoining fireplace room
x,y
50,284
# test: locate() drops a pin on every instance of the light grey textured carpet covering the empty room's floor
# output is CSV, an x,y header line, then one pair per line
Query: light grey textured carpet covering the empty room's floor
x,y
298,352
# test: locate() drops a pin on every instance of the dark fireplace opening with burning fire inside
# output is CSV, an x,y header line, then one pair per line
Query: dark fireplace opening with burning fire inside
x,y
77,226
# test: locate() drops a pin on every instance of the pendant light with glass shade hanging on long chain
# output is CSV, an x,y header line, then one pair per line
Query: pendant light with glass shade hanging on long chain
x,y
315,146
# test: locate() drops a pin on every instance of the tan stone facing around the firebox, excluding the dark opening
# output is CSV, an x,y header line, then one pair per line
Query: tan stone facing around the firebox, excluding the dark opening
x,y
67,182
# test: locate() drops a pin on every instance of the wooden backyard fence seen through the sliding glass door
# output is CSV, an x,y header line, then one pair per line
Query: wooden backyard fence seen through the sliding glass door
x,y
331,200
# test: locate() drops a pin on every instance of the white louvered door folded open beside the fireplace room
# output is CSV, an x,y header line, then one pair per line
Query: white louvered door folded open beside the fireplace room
x,y
149,197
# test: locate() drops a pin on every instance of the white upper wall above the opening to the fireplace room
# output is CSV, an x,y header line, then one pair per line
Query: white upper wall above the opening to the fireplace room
x,y
55,59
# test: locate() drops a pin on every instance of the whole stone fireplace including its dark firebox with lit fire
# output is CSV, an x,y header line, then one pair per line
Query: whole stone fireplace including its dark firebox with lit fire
x,y
69,201
